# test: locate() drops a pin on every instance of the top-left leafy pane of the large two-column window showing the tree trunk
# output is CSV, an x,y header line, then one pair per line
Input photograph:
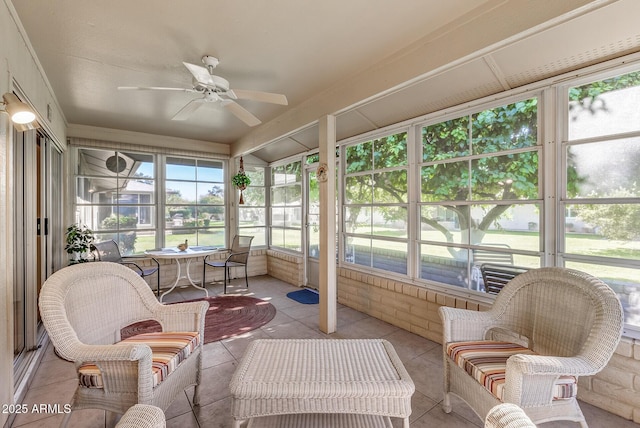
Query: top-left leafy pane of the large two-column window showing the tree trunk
x,y
445,140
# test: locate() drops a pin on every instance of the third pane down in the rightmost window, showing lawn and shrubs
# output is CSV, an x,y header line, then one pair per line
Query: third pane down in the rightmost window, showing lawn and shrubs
x,y
605,230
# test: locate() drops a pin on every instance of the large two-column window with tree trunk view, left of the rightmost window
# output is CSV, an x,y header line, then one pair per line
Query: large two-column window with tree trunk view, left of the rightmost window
x,y
479,193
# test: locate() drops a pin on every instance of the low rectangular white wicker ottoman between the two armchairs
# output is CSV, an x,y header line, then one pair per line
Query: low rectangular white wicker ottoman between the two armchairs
x,y
295,376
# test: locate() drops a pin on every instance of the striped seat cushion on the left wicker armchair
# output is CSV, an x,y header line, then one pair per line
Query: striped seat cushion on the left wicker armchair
x,y
168,349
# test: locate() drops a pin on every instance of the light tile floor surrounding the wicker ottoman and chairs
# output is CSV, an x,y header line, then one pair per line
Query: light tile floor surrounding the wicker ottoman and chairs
x,y
56,380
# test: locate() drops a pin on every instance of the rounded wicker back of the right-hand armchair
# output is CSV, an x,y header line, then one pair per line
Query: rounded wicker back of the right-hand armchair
x,y
562,312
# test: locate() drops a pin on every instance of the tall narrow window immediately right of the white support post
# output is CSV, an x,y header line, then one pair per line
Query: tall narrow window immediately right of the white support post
x,y
376,202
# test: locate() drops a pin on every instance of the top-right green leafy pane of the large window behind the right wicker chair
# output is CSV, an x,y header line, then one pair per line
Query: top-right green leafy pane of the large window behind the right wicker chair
x,y
505,128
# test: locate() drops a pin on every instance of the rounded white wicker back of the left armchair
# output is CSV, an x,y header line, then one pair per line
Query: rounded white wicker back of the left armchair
x,y
90,302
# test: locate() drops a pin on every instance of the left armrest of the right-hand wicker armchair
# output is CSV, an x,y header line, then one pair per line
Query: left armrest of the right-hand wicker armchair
x,y
463,324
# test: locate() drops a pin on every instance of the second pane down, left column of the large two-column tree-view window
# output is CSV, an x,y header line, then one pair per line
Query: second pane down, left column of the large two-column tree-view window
x,y
445,182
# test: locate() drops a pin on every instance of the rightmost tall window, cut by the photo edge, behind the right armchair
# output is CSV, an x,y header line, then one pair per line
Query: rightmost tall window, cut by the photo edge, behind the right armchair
x,y
601,190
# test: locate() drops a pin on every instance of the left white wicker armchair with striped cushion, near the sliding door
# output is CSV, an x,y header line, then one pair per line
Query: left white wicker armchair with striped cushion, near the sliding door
x,y
83,309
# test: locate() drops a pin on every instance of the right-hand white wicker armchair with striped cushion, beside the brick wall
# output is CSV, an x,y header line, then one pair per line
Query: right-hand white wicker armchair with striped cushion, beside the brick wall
x,y
547,327
